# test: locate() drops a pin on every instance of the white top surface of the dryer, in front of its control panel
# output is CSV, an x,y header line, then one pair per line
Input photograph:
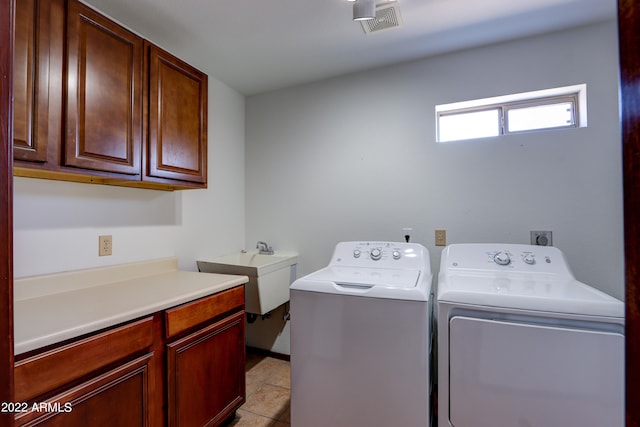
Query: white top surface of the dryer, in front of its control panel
x,y
538,292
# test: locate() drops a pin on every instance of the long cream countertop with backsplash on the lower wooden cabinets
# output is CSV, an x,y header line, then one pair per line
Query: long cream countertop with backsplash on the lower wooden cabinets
x,y
52,308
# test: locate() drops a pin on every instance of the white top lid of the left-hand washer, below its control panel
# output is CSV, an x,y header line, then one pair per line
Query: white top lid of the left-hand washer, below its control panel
x,y
389,283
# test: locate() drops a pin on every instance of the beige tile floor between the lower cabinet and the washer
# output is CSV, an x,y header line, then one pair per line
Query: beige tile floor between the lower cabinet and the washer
x,y
268,393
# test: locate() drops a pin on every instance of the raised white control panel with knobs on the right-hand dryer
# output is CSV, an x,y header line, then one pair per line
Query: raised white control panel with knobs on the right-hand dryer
x,y
505,257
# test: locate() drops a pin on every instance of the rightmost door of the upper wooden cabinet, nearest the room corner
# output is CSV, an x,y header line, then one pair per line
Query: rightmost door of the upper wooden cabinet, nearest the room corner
x,y
177,144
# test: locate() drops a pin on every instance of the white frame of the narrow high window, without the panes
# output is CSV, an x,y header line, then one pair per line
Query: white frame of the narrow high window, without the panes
x,y
576,95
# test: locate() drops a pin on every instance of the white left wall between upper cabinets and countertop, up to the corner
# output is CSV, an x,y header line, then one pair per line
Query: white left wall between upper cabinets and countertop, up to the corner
x,y
56,224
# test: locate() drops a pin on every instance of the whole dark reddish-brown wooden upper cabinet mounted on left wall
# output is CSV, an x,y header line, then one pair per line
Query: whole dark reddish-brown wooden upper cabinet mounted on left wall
x,y
133,114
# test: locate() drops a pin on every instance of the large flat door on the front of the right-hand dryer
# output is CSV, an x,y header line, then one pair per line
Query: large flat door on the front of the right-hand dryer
x,y
518,374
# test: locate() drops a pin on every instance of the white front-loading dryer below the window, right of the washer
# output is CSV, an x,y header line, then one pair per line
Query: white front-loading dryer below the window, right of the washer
x,y
521,342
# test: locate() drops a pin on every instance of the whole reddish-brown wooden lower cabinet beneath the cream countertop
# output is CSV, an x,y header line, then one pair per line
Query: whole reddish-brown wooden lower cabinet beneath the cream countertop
x,y
180,367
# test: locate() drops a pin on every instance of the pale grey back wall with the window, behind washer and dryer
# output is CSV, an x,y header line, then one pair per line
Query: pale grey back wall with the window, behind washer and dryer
x,y
355,158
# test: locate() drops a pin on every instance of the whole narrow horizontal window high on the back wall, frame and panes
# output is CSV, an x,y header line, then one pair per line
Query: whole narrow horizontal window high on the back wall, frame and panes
x,y
524,112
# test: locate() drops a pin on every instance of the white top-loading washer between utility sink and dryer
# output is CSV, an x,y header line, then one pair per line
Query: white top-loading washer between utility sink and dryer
x,y
360,338
